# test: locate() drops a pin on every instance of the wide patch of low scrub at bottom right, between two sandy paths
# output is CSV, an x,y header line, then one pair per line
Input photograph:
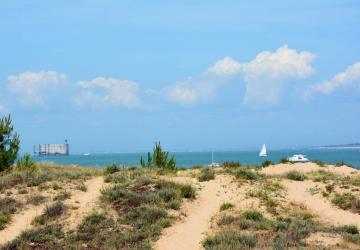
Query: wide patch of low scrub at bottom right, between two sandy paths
x,y
250,229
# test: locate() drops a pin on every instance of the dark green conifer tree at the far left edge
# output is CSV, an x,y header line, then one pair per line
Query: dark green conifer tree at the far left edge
x,y
9,143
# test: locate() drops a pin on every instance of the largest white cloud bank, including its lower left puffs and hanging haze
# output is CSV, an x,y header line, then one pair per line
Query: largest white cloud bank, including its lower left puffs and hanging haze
x,y
264,77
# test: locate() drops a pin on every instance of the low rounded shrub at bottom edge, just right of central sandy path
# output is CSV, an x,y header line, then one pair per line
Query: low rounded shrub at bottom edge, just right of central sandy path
x,y
229,239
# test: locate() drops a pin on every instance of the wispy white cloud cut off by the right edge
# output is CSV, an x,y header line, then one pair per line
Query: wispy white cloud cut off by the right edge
x,y
349,77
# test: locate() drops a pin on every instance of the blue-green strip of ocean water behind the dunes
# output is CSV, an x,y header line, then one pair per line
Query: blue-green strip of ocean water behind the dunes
x,y
187,159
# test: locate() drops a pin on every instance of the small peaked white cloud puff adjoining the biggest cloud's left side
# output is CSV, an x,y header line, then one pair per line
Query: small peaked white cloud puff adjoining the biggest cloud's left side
x,y
226,66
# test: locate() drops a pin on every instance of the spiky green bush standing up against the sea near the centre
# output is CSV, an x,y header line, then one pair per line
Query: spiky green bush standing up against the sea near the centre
x,y
159,159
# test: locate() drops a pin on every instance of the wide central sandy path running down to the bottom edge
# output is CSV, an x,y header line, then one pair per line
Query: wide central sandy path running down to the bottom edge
x,y
188,233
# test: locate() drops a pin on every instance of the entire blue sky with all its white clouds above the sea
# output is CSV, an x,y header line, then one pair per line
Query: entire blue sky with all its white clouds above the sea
x,y
116,76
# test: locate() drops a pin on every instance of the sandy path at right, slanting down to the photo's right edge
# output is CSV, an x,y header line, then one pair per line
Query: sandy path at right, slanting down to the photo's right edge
x,y
297,191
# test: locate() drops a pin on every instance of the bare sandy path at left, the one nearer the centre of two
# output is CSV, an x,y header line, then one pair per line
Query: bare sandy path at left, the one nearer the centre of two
x,y
85,202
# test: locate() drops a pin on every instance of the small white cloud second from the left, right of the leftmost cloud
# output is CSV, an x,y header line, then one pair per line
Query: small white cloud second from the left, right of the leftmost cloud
x,y
100,91
